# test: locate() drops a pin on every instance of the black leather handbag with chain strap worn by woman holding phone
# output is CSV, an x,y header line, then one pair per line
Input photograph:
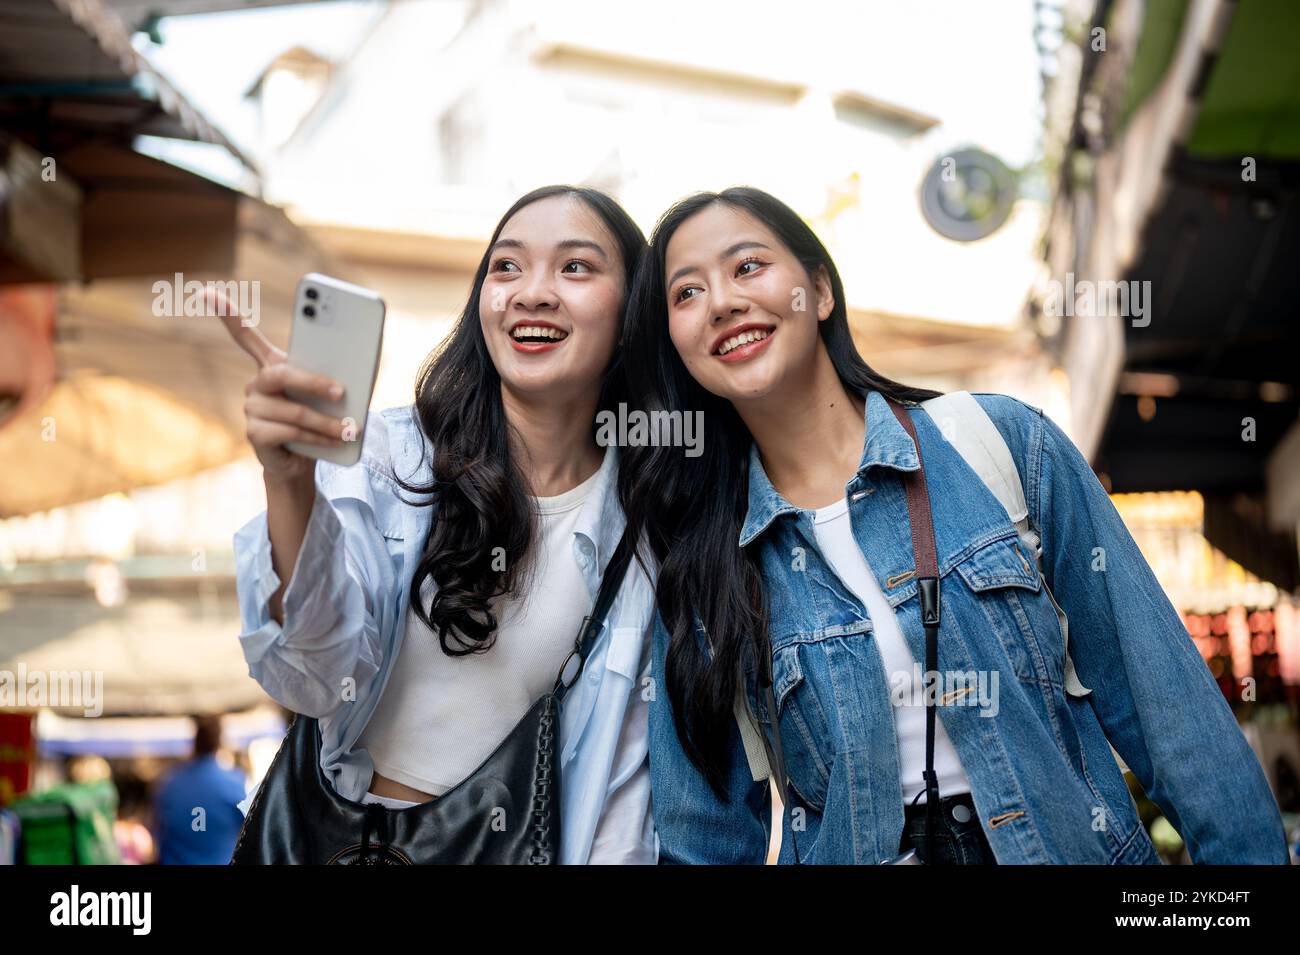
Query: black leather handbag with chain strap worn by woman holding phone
x,y
505,813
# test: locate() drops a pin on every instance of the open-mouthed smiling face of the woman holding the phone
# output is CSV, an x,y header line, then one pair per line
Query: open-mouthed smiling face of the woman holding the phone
x,y
552,299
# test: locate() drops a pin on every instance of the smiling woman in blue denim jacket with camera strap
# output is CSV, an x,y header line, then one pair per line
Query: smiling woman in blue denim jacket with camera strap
x,y
790,540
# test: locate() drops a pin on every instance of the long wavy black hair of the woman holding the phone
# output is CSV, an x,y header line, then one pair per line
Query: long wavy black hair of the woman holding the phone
x,y
482,497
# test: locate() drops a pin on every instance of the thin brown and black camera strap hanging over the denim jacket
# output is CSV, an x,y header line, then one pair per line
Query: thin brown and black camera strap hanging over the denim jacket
x,y
925,554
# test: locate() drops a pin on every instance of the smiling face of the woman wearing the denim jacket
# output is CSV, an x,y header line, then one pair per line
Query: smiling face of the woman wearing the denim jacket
x,y
743,312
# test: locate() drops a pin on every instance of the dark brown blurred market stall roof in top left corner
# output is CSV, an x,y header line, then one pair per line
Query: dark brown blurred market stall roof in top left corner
x,y
80,202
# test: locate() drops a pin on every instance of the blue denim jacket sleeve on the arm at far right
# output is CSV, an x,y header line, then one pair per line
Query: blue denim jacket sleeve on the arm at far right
x,y
1152,692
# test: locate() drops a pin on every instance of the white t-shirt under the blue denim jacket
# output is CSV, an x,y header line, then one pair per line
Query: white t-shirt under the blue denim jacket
x,y
840,550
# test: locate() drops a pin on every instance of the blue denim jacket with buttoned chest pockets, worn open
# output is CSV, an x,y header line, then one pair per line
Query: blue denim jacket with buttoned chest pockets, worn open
x,y
1045,780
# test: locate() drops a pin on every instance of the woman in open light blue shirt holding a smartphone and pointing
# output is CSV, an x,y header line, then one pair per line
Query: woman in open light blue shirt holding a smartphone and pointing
x,y
419,602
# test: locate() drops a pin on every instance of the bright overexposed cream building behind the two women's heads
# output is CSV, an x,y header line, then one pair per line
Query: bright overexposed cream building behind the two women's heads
x,y
445,114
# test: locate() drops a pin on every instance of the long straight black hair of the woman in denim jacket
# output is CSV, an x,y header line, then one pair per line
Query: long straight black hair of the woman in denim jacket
x,y
691,510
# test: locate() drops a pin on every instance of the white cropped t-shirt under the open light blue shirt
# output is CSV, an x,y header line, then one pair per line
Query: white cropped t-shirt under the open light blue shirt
x,y
441,717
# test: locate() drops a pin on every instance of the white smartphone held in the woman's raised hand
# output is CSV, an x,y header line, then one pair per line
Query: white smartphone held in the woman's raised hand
x,y
337,332
